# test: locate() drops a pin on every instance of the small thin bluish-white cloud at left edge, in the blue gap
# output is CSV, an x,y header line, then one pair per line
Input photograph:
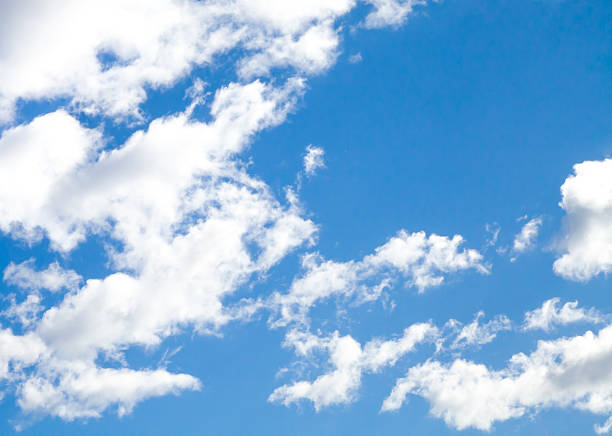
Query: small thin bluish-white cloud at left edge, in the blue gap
x,y
53,278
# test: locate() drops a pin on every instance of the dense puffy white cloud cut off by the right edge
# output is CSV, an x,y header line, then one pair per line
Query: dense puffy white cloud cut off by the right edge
x,y
587,239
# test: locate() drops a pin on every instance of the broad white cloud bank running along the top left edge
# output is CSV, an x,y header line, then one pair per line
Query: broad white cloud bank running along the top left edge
x,y
105,60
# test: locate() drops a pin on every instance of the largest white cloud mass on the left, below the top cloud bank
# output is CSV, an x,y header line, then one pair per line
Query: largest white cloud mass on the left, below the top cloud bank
x,y
192,226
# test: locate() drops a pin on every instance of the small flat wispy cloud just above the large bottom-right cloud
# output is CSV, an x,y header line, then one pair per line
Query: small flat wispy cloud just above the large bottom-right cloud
x,y
550,315
